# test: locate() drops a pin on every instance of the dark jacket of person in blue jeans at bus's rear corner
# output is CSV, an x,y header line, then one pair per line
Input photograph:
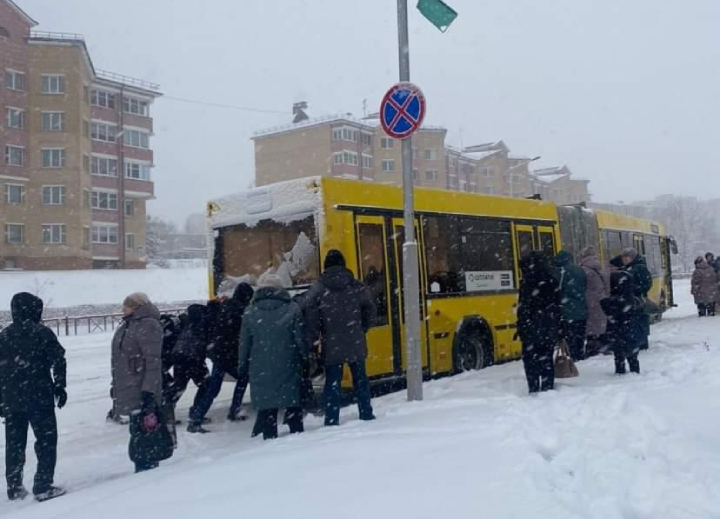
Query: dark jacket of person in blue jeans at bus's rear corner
x,y
340,312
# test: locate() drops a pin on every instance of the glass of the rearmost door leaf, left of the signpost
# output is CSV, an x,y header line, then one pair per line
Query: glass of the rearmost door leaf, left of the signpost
x,y
372,268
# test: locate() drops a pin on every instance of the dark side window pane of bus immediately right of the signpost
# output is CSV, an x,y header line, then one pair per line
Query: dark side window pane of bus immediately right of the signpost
x,y
442,251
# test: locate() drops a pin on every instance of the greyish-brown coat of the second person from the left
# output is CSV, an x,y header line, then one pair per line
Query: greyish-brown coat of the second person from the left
x,y
136,359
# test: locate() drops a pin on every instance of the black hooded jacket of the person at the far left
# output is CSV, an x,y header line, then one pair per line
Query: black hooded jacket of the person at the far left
x,y
32,361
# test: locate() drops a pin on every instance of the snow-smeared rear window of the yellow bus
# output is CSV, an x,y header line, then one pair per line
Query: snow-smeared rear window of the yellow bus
x,y
290,250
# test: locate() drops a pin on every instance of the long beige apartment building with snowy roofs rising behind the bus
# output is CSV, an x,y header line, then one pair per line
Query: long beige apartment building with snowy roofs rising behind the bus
x,y
346,147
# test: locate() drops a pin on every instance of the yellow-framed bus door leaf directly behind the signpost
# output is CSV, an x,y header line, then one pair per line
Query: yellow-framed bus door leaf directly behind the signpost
x,y
399,239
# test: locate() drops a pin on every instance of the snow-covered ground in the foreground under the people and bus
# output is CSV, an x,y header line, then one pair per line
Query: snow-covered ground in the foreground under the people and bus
x,y
600,446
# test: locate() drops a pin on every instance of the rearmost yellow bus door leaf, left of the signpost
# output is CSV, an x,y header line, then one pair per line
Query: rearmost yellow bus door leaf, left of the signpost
x,y
373,271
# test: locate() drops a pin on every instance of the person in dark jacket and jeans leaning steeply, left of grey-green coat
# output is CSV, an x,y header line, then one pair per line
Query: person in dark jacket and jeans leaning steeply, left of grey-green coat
x,y
223,351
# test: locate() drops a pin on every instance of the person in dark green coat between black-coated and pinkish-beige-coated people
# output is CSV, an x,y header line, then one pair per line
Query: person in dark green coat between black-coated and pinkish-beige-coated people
x,y
573,298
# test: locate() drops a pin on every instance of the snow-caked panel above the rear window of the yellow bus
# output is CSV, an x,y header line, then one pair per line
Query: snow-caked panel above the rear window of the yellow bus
x,y
282,202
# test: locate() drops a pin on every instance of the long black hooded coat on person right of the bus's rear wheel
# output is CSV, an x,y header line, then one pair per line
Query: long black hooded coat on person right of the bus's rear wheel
x,y
539,310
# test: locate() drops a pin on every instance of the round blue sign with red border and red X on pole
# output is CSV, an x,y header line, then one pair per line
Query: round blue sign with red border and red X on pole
x,y
402,110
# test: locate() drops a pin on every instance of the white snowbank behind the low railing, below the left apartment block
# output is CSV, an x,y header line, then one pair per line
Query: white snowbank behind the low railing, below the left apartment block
x,y
63,289
